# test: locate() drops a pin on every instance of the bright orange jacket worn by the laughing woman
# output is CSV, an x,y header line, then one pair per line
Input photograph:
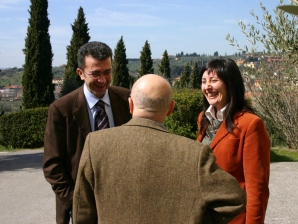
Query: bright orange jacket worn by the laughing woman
x,y
245,154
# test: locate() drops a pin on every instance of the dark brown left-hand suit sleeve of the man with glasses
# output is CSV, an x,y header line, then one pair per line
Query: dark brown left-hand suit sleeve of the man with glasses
x,y
54,162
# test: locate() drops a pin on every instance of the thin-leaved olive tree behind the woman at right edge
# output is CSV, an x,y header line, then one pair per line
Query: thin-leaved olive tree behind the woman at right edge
x,y
273,84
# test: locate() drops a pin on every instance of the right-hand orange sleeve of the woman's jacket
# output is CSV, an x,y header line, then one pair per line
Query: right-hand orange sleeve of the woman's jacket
x,y
256,164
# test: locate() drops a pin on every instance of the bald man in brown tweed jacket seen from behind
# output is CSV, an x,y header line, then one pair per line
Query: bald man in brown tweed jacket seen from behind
x,y
144,174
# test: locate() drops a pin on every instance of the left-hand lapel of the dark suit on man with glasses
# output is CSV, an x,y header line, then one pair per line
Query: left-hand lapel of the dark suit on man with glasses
x,y
80,112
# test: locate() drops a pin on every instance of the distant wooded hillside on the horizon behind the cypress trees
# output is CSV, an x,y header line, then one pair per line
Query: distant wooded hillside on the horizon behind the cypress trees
x,y
13,76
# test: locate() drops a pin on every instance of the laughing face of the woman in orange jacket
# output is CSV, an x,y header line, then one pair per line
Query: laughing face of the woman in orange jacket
x,y
214,90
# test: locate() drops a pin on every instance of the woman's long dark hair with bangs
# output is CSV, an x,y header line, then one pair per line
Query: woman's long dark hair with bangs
x,y
228,71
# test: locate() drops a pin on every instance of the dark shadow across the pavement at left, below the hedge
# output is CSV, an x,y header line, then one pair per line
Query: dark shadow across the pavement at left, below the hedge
x,y
21,161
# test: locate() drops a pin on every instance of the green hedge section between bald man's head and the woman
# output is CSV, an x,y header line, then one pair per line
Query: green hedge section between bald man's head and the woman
x,y
183,120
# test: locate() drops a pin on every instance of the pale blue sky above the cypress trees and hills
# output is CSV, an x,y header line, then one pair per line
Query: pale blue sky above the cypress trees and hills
x,y
188,26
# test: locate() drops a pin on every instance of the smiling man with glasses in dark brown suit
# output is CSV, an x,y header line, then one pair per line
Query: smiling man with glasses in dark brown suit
x,y
73,116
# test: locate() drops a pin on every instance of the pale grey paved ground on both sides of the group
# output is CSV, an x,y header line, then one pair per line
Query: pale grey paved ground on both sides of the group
x,y
26,197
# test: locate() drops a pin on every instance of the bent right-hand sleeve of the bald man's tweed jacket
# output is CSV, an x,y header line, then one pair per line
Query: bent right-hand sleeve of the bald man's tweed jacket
x,y
221,192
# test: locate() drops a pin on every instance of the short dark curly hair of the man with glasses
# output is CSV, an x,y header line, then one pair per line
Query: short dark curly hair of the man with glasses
x,y
96,49
